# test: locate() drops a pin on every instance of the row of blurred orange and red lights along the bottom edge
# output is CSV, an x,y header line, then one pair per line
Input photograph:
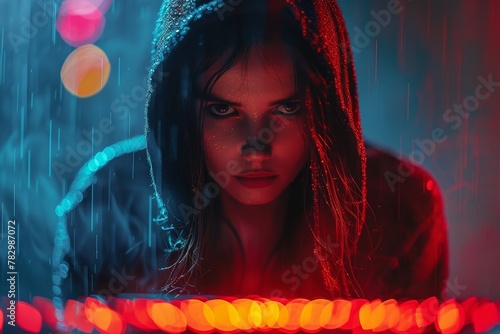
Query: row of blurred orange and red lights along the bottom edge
x,y
231,315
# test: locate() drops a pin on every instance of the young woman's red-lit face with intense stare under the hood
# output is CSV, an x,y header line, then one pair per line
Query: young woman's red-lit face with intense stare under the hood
x,y
254,135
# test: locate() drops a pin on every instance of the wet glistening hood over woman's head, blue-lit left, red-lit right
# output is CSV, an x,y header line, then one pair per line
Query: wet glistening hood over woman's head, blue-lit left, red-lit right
x,y
323,28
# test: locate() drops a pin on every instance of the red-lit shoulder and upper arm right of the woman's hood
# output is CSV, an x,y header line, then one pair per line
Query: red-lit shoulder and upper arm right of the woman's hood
x,y
402,251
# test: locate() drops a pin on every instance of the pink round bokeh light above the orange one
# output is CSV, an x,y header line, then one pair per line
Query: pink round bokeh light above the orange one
x,y
80,22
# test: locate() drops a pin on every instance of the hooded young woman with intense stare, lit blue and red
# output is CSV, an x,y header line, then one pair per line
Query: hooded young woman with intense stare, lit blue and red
x,y
259,168
